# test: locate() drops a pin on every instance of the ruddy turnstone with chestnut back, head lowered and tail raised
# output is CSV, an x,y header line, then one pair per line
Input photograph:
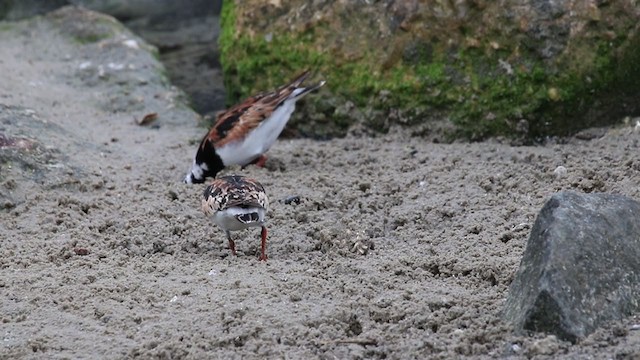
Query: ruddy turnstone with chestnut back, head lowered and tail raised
x,y
242,134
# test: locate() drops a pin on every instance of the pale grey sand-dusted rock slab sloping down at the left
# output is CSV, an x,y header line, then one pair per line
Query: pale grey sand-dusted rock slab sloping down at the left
x,y
102,71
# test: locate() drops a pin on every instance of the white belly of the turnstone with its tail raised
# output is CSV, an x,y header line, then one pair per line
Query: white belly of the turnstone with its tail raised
x,y
259,140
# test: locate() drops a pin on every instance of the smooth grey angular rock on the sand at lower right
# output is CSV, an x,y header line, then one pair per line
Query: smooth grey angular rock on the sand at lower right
x,y
581,267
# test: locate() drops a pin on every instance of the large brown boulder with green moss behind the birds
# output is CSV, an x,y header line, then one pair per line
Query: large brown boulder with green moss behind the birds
x,y
531,68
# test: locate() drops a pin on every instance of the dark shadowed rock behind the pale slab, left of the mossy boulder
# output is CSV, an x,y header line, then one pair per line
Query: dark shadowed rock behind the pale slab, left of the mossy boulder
x,y
186,33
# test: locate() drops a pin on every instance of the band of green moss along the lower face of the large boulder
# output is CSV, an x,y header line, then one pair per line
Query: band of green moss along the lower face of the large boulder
x,y
481,96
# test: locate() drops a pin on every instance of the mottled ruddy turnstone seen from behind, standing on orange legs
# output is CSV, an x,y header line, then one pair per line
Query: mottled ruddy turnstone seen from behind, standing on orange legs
x,y
237,203
